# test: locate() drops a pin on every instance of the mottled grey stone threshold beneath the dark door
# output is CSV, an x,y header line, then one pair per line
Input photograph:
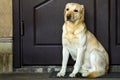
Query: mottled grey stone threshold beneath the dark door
x,y
49,69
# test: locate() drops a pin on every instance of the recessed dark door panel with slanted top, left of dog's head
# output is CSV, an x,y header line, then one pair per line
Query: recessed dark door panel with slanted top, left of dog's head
x,y
47,26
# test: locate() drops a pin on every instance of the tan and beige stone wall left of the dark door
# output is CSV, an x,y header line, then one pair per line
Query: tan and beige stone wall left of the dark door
x,y
5,35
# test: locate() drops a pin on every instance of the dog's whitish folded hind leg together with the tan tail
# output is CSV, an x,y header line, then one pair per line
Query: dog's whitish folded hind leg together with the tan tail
x,y
97,62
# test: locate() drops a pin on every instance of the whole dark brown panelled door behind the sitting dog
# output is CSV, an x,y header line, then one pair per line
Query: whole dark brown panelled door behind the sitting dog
x,y
42,22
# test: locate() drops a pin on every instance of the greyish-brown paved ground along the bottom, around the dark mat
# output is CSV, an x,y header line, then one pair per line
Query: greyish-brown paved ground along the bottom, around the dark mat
x,y
43,76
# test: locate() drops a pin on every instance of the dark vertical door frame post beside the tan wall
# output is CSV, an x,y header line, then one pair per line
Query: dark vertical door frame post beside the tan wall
x,y
16,34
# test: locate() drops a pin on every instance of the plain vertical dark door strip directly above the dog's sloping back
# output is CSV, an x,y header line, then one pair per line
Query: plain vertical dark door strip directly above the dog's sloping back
x,y
102,22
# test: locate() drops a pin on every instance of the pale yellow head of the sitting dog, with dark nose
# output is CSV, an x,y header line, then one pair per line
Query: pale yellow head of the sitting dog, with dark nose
x,y
74,12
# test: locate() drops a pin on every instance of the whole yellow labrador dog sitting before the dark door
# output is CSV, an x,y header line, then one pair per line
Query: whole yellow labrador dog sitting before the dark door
x,y
90,56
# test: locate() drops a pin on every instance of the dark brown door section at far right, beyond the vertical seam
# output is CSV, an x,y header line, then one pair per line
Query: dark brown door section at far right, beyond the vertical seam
x,y
115,32
